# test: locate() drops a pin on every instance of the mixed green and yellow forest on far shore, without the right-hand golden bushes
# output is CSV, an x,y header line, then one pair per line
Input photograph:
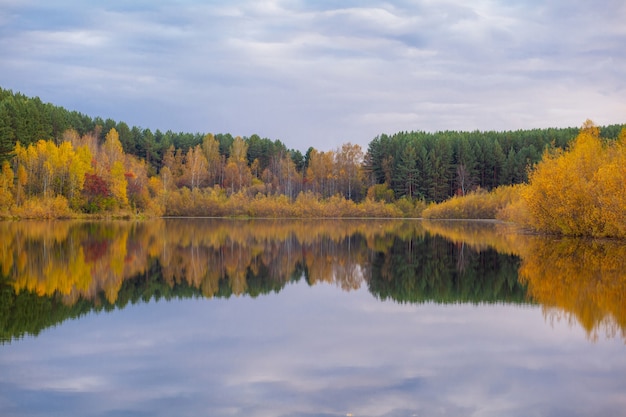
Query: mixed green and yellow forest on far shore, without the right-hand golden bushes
x,y
60,163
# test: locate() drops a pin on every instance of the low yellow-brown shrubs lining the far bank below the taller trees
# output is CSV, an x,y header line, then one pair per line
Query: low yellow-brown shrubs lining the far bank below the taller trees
x,y
215,203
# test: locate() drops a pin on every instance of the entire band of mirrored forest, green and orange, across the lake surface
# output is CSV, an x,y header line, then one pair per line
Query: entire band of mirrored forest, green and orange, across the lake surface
x,y
60,270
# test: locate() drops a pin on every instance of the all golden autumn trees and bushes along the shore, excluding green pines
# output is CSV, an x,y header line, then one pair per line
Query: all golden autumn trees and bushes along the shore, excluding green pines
x,y
581,191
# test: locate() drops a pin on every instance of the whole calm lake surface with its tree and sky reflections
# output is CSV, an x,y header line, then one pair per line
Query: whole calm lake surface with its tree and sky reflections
x,y
308,318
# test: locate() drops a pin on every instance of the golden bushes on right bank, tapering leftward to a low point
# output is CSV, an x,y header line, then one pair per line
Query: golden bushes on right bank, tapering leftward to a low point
x,y
577,191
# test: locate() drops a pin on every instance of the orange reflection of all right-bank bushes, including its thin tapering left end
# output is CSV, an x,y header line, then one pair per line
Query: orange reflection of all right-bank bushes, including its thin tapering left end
x,y
579,280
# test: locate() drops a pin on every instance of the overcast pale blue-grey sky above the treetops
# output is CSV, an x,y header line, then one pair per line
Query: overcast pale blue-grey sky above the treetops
x,y
321,73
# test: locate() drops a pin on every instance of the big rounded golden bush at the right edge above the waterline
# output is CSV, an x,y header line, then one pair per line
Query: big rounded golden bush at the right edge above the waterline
x,y
580,192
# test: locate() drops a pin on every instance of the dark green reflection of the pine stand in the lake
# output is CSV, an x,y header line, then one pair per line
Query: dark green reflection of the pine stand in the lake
x,y
429,268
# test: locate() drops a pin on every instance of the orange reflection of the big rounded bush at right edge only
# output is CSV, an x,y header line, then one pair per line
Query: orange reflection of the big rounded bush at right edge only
x,y
581,280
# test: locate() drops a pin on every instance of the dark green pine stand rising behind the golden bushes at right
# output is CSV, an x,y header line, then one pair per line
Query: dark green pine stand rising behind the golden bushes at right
x,y
437,166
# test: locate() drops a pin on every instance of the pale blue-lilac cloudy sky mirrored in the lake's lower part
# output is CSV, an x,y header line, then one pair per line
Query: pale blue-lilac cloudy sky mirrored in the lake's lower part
x,y
313,351
